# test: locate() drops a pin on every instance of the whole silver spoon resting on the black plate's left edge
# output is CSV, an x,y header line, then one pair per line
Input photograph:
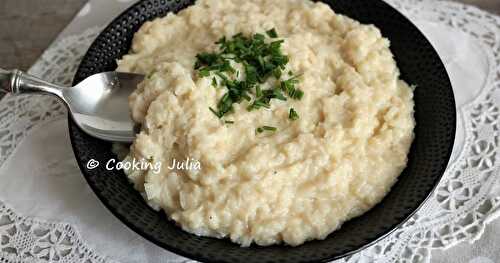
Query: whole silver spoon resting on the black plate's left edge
x,y
98,104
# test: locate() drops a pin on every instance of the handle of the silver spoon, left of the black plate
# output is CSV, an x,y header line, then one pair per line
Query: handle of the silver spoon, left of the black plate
x,y
18,82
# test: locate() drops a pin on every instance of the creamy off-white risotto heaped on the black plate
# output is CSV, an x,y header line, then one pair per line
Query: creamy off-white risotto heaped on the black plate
x,y
298,183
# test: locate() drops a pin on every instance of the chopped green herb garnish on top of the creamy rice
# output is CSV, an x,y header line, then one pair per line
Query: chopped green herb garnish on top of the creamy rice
x,y
261,59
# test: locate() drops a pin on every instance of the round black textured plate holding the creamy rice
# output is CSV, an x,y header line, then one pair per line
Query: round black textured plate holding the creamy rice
x,y
435,116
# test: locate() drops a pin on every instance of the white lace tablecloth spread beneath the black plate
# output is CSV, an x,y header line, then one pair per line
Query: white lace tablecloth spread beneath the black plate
x,y
49,214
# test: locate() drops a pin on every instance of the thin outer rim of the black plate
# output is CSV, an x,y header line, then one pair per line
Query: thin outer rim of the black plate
x,y
73,126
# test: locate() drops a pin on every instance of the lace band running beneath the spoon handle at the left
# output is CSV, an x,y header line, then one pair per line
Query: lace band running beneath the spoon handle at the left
x,y
19,114
